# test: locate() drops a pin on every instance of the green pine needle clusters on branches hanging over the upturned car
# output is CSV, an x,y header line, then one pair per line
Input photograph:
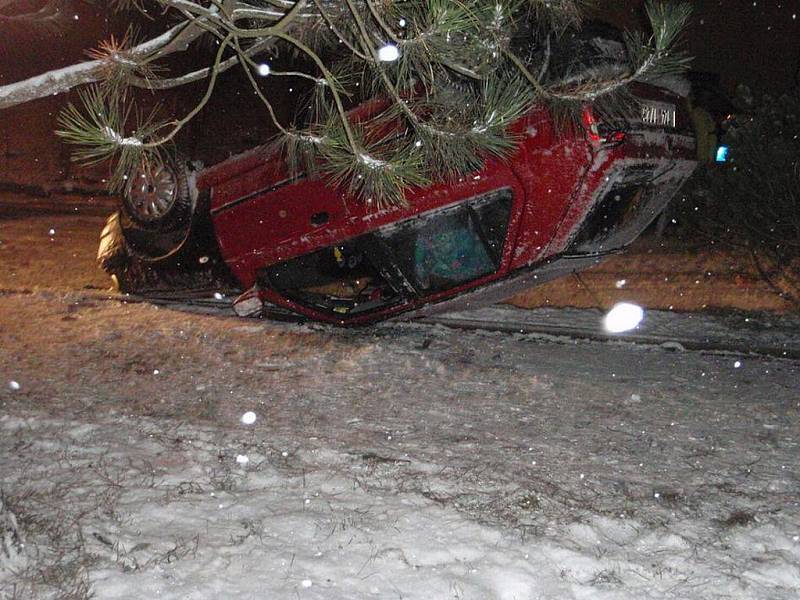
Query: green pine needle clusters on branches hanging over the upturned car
x,y
447,77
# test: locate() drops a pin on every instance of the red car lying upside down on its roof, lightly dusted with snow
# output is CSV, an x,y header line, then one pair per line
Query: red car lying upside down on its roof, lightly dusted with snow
x,y
564,200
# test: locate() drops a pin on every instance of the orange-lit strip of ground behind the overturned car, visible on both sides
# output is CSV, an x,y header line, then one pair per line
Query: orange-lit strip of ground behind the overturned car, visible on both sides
x,y
657,274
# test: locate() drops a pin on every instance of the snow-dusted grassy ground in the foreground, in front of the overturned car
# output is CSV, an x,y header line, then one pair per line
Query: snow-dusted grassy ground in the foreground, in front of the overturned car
x,y
402,461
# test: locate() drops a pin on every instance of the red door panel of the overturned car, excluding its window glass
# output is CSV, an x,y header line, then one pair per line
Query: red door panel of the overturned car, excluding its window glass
x,y
286,221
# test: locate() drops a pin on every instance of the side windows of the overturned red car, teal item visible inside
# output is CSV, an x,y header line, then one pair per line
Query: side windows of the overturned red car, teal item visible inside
x,y
423,255
